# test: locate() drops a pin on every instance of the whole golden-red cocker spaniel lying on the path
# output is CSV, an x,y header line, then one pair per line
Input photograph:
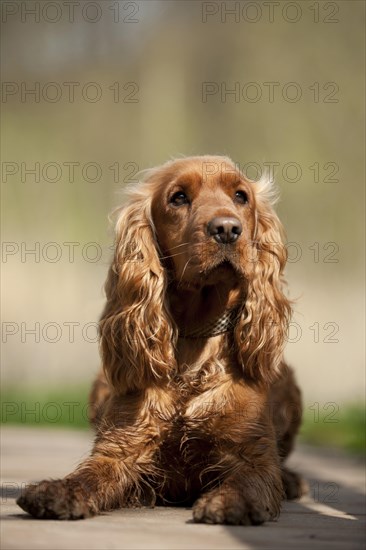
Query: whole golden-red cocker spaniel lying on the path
x,y
195,404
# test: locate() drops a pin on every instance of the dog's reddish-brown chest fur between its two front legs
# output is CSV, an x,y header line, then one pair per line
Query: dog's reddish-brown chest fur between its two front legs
x,y
199,427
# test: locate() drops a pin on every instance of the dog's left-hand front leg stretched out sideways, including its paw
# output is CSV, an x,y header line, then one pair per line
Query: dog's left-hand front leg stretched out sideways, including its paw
x,y
122,457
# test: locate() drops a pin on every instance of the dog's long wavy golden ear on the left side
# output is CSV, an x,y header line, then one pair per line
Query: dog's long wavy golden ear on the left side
x,y
137,334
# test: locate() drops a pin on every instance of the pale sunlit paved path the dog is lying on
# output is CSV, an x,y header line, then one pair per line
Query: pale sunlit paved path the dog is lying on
x,y
331,516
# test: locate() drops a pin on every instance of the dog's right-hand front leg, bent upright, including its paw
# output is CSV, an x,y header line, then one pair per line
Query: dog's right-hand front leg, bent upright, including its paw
x,y
244,467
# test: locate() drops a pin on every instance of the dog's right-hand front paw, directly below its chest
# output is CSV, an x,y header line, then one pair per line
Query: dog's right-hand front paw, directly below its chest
x,y
230,507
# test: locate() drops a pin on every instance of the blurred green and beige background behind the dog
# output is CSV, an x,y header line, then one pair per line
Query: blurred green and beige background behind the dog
x,y
123,86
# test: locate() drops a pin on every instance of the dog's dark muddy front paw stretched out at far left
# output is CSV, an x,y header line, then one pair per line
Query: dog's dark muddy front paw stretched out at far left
x,y
59,499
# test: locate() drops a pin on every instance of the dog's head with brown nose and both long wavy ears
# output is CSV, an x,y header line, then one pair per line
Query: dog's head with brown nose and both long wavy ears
x,y
198,222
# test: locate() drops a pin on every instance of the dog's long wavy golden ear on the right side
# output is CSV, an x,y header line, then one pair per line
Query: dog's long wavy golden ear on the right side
x,y
262,329
